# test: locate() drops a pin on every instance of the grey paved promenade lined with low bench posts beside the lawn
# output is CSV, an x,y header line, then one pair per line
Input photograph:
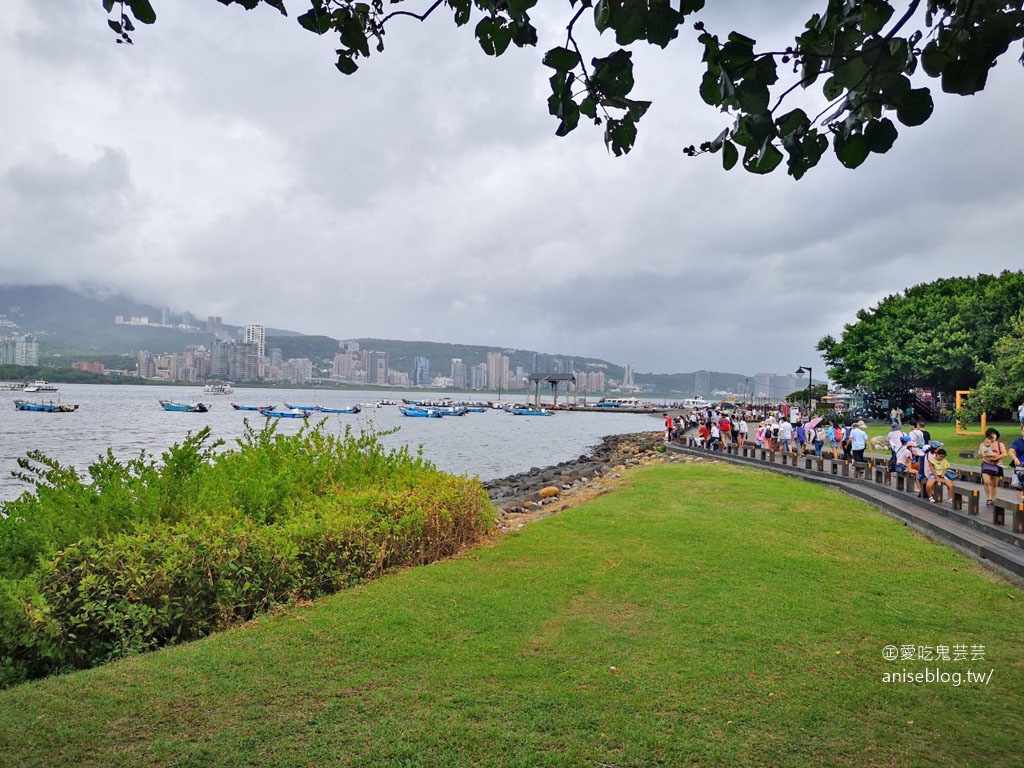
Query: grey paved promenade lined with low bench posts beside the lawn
x,y
994,536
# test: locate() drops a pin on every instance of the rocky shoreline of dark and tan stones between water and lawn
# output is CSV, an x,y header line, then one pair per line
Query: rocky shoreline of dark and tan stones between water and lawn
x,y
560,486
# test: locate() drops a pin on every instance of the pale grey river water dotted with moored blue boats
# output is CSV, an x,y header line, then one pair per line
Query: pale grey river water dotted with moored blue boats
x,y
129,419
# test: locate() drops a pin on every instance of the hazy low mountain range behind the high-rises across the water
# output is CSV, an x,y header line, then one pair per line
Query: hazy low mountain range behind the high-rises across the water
x,y
80,325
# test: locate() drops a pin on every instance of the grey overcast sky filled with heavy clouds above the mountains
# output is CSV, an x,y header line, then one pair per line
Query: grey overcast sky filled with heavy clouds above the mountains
x,y
224,166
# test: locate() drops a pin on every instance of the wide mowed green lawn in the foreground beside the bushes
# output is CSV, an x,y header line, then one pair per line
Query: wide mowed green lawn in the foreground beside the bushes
x,y
704,615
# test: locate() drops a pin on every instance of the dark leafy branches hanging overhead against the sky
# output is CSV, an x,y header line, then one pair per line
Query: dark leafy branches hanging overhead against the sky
x,y
862,55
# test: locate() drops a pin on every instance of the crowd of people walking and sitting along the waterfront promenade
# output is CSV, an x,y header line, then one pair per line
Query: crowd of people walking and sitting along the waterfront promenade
x,y
912,452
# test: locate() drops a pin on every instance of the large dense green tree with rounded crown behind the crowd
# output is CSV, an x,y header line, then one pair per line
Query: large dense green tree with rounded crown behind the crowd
x,y
936,335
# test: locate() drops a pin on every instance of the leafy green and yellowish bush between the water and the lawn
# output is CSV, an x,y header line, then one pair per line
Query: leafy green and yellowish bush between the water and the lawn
x,y
150,554
